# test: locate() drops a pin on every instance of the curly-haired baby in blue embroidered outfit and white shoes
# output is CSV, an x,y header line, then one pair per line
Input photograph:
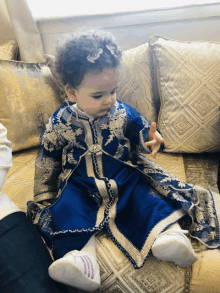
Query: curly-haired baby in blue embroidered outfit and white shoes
x,y
91,174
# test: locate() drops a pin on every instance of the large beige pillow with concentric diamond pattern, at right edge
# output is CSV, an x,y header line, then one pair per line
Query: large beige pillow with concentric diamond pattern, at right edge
x,y
188,75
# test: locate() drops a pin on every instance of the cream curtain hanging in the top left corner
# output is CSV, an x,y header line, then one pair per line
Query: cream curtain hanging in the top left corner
x,y
17,22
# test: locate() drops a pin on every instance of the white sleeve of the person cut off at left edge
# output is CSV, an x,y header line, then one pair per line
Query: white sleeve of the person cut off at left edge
x,y
5,155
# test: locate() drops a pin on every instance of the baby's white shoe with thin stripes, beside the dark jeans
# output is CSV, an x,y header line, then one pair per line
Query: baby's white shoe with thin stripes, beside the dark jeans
x,y
77,269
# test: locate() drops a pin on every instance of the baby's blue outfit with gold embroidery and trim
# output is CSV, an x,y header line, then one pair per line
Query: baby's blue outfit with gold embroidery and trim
x,y
97,176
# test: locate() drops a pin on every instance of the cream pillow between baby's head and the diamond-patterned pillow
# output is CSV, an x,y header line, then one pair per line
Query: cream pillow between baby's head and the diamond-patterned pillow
x,y
135,85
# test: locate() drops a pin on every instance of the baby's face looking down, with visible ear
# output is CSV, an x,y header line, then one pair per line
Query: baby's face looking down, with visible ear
x,y
97,92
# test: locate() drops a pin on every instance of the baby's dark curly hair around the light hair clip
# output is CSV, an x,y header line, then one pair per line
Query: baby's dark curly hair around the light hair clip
x,y
71,63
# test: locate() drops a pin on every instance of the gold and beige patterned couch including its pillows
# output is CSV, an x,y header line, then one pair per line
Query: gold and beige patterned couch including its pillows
x,y
171,82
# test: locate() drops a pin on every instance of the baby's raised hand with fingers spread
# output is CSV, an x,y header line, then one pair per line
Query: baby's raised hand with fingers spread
x,y
154,140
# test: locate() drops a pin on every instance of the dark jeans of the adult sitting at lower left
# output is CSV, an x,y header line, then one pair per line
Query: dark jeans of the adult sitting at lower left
x,y
24,258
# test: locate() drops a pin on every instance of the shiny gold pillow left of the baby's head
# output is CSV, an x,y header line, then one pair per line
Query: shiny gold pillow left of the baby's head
x,y
28,96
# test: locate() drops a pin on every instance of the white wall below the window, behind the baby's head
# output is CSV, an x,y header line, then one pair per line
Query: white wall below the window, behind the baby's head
x,y
197,22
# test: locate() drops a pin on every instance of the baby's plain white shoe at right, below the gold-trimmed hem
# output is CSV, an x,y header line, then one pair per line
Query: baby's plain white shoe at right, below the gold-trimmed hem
x,y
173,245
